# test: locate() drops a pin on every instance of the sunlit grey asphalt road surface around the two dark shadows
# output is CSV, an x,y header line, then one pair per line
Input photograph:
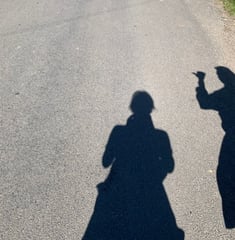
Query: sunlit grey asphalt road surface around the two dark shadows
x,y
68,70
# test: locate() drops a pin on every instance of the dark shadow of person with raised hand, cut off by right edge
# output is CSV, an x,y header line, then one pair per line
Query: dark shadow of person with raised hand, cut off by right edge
x,y
223,101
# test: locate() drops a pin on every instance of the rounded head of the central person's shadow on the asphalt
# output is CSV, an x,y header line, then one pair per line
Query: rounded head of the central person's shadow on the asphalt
x,y
141,103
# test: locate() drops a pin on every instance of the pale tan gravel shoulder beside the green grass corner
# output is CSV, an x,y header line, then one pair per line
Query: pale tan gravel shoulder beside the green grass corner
x,y
220,27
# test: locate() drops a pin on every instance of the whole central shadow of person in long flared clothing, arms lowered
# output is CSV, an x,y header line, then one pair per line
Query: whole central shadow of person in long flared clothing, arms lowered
x,y
132,203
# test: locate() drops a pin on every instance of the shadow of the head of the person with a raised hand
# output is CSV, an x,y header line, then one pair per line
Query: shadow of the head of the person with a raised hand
x,y
226,76
